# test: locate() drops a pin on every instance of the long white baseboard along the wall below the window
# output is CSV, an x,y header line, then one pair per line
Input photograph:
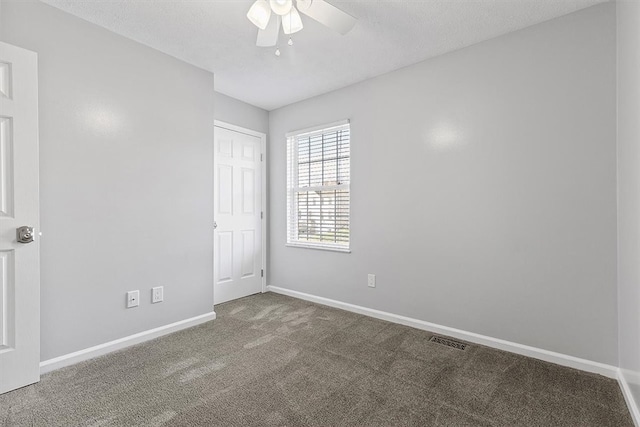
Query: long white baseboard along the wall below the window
x,y
524,350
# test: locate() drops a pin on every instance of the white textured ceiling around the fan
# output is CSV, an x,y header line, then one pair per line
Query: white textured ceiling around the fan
x,y
390,34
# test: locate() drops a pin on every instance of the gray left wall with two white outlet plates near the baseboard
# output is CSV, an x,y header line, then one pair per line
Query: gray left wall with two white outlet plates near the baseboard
x,y
126,192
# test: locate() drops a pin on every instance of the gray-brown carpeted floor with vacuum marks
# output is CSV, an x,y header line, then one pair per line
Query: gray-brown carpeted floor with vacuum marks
x,y
274,360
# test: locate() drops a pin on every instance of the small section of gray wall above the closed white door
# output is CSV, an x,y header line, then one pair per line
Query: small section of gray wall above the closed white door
x,y
235,112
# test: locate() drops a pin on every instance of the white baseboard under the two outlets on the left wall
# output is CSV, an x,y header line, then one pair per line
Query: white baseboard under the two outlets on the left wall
x,y
108,347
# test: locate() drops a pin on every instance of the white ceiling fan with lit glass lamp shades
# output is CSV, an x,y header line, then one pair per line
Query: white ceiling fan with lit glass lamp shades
x,y
268,15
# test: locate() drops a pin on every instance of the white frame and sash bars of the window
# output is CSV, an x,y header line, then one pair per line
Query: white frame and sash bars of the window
x,y
292,148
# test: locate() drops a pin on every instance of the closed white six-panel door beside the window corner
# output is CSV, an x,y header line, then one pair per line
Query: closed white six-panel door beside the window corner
x,y
237,248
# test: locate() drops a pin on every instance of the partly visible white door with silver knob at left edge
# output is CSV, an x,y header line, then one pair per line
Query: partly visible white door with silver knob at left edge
x,y
19,262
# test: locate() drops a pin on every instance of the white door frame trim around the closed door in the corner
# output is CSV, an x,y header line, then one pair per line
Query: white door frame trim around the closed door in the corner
x,y
263,207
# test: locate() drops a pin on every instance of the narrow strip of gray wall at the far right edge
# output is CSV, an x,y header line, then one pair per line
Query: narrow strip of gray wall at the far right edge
x,y
629,191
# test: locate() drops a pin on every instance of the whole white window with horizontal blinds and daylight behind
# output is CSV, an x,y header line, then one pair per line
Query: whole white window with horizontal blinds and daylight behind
x,y
318,197
